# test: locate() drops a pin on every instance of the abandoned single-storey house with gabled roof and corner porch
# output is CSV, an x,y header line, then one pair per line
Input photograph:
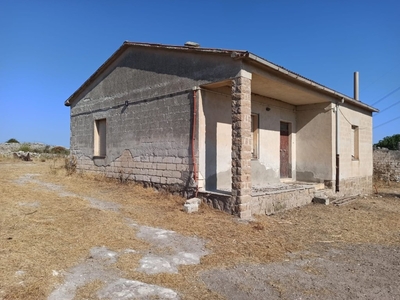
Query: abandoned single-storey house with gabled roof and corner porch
x,y
246,135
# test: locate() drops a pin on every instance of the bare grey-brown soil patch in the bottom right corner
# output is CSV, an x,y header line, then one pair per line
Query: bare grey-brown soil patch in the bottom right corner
x,y
348,272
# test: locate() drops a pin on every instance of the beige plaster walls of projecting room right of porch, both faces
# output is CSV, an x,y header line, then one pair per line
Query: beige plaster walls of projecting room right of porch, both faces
x,y
316,147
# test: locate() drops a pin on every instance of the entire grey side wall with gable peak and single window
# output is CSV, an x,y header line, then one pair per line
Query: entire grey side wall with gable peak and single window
x,y
146,100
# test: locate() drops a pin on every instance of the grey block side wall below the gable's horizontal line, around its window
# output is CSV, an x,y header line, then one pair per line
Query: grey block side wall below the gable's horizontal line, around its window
x,y
147,142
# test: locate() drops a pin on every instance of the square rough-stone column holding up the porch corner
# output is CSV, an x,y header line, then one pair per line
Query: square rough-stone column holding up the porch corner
x,y
241,144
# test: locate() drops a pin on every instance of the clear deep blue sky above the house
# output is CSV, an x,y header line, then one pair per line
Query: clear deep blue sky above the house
x,y
49,48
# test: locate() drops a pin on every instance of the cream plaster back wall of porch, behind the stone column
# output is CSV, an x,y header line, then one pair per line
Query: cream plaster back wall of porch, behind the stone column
x,y
215,143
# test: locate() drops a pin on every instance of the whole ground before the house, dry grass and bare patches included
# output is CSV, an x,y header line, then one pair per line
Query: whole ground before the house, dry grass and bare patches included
x,y
86,237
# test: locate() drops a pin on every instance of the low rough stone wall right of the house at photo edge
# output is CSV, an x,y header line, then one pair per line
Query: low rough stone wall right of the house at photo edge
x,y
387,164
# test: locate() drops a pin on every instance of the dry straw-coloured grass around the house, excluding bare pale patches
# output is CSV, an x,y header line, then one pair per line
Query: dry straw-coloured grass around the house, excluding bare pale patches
x,y
59,233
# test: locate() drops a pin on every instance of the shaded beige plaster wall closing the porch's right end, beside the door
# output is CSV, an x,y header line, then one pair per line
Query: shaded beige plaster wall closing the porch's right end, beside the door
x,y
315,142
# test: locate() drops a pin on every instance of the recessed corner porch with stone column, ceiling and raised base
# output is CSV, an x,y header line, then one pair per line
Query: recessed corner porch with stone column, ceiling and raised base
x,y
250,157
